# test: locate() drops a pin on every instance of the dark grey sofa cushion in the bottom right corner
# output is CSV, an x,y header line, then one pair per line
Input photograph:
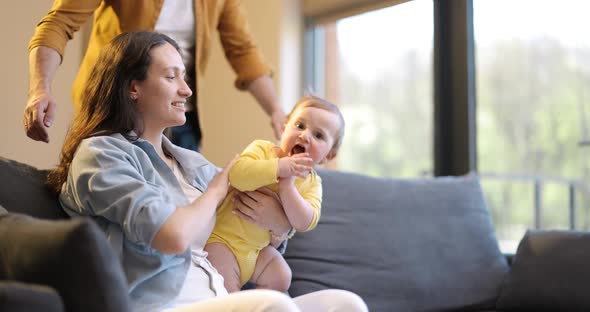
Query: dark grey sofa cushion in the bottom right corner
x,y
549,273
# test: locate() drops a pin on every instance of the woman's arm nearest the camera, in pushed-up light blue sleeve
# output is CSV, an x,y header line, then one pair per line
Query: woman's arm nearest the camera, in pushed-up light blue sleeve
x,y
107,182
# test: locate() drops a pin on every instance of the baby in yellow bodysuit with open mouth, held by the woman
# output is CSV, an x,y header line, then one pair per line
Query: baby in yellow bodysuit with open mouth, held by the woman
x,y
240,250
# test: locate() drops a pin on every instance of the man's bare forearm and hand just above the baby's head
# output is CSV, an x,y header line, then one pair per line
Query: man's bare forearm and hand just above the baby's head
x,y
262,89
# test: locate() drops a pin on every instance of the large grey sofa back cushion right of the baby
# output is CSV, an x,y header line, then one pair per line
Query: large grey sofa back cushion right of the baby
x,y
401,244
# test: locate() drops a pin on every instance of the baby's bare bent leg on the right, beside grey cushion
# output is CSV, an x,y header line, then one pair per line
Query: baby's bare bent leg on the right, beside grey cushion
x,y
272,271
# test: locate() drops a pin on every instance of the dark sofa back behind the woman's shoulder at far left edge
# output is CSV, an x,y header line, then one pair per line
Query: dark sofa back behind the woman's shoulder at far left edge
x,y
24,191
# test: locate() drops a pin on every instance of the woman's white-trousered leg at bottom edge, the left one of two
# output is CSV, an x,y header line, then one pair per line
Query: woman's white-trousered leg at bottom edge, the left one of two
x,y
257,300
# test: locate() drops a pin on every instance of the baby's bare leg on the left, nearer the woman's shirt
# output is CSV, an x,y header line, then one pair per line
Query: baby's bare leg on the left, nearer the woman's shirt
x,y
226,264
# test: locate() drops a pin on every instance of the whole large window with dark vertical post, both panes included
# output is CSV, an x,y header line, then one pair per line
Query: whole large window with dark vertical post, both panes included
x,y
532,101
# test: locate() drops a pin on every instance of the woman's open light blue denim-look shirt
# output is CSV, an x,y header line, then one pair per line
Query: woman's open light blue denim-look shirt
x,y
130,192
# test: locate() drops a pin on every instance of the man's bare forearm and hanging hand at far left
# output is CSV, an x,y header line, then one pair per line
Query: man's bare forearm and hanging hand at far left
x,y
41,107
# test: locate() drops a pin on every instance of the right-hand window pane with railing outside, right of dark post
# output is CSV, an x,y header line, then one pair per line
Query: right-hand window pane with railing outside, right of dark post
x,y
533,110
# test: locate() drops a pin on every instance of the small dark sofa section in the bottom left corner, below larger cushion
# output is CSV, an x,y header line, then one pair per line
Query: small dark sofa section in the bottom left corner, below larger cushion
x,y
16,297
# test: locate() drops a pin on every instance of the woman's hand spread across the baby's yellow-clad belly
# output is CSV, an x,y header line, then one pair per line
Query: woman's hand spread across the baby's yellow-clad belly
x,y
263,208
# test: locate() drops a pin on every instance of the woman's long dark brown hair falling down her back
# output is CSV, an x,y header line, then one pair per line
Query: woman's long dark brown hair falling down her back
x,y
107,106
